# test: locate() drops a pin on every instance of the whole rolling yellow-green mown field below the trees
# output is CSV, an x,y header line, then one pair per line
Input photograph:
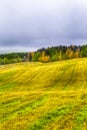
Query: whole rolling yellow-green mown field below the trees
x,y
38,96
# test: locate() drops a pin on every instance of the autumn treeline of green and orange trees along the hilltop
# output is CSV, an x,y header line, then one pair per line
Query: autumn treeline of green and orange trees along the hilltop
x,y
45,55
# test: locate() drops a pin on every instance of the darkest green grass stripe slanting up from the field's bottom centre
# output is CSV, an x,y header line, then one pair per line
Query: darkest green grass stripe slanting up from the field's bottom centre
x,y
49,117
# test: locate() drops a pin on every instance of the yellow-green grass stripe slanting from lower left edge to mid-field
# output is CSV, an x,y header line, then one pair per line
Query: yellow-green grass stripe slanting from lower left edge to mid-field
x,y
25,108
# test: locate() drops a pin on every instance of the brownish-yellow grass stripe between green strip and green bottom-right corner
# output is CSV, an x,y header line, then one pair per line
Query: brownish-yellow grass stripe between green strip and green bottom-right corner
x,y
68,120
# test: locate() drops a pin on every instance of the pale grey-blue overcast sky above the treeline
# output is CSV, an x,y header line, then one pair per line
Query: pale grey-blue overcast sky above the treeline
x,y
32,24
